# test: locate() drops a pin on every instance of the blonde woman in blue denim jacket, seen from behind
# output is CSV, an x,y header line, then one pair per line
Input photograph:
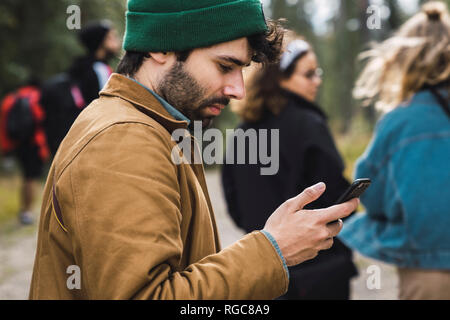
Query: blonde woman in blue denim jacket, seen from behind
x,y
407,218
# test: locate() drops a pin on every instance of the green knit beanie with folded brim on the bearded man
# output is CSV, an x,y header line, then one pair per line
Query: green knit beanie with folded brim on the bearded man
x,y
178,25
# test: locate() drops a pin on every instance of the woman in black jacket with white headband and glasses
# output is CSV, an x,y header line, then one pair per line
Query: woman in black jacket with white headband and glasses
x,y
282,96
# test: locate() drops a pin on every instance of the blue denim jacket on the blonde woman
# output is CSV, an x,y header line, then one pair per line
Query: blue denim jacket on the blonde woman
x,y
407,218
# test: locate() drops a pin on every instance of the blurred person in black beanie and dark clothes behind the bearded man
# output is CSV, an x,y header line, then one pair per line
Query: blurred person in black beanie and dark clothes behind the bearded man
x,y
66,94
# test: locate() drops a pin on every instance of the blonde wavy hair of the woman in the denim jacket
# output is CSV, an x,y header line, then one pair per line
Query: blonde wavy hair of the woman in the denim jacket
x,y
416,56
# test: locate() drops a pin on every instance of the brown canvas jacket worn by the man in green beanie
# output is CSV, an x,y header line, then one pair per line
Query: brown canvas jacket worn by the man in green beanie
x,y
137,225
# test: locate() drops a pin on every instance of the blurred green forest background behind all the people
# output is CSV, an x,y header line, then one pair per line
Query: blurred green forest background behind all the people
x,y
35,40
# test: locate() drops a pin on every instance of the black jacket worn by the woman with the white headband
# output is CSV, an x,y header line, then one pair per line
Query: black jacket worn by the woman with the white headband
x,y
307,155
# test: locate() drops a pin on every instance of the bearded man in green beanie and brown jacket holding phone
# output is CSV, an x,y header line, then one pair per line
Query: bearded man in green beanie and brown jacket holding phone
x,y
119,219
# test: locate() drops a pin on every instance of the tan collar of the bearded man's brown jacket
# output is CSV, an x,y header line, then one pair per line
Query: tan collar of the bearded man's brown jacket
x,y
121,86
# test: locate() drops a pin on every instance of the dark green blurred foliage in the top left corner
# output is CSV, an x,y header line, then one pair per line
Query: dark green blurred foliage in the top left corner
x,y
35,41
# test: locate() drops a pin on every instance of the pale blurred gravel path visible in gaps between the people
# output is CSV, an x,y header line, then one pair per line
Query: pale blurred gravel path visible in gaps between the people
x,y
18,245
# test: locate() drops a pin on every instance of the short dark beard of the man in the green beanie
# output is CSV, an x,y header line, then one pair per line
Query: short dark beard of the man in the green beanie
x,y
184,93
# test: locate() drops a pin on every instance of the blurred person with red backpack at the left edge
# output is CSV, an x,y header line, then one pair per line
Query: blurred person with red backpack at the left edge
x,y
22,135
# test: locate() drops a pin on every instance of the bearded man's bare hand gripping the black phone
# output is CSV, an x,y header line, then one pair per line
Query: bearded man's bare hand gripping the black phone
x,y
300,233
